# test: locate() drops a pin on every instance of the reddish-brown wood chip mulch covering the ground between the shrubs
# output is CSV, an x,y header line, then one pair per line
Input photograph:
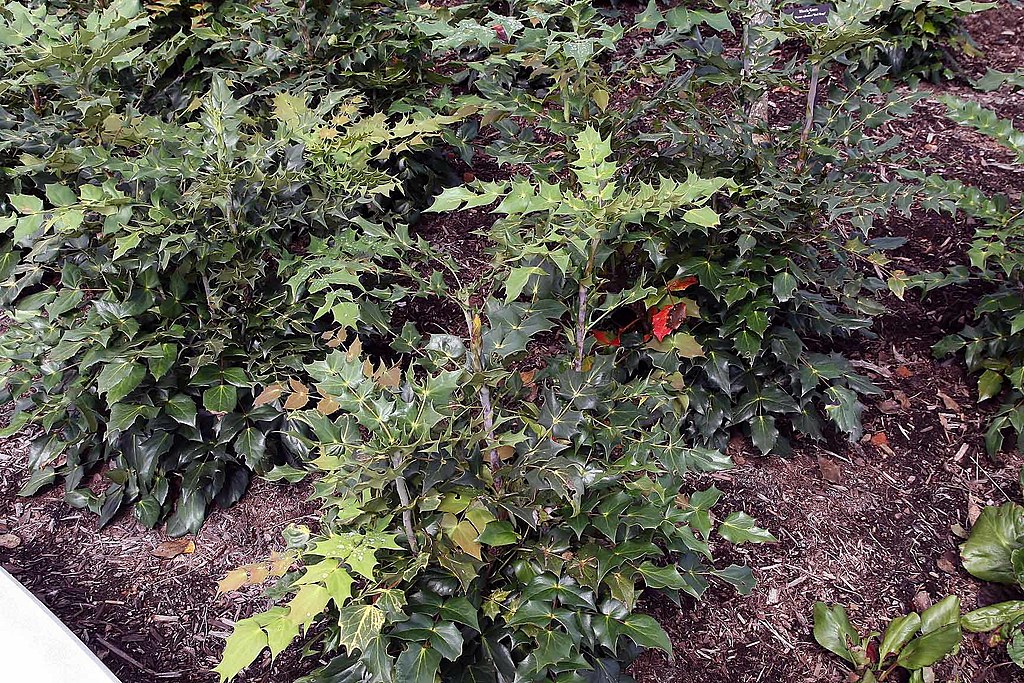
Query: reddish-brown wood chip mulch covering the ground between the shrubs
x,y
874,526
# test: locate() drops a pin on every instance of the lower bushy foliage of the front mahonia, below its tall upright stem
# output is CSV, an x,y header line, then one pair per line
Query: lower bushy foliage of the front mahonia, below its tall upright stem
x,y
467,539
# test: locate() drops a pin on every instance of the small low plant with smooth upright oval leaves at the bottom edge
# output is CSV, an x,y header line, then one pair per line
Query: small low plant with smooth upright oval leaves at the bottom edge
x,y
913,644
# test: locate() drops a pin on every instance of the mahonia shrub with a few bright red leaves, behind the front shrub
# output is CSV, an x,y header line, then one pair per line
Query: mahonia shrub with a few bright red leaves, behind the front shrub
x,y
757,300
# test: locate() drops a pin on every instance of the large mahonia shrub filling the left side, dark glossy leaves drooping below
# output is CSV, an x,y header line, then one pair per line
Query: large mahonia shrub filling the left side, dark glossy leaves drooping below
x,y
151,266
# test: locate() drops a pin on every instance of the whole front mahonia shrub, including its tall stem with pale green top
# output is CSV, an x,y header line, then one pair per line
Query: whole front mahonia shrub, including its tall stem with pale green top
x,y
484,523
